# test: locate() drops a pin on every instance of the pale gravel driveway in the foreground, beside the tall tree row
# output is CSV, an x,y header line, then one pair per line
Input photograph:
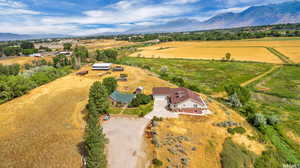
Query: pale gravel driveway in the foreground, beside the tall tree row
x,y
125,146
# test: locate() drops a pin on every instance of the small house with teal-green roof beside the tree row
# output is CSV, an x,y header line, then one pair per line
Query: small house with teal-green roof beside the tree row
x,y
121,99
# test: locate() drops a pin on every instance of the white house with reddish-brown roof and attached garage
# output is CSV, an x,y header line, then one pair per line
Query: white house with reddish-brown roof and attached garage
x,y
181,100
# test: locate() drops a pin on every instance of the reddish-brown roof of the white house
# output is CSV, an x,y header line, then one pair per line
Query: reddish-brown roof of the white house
x,y
178,95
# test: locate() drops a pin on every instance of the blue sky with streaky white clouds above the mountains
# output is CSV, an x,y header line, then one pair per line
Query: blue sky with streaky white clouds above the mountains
x,y
88,17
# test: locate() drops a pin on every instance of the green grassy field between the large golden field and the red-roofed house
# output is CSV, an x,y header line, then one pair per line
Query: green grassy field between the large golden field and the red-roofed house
x,y
208,76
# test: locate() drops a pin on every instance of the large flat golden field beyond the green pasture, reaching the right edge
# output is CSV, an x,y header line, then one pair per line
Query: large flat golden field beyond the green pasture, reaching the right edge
x,y
244,50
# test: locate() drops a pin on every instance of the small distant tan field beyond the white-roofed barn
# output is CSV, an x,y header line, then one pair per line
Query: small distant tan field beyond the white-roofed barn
x,y
95,44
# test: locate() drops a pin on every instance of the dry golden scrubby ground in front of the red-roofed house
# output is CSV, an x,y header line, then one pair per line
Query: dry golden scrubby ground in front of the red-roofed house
x,y
202,135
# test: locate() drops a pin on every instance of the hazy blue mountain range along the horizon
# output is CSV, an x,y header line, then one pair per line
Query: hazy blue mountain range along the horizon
x,y
288,12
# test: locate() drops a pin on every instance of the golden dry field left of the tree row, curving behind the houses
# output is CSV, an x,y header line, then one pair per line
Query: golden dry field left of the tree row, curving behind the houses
x,y
44,127
